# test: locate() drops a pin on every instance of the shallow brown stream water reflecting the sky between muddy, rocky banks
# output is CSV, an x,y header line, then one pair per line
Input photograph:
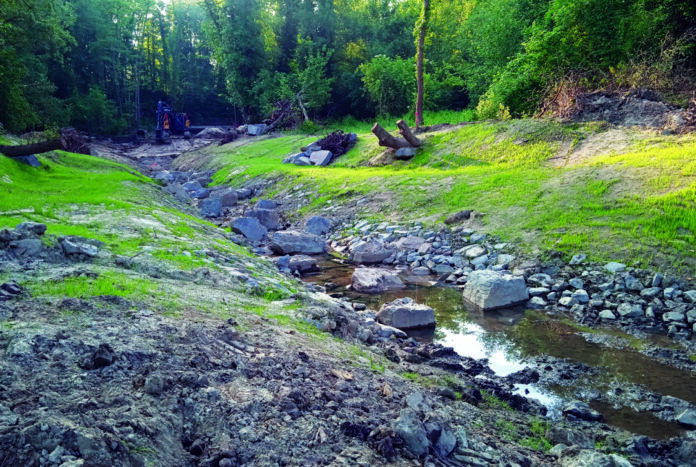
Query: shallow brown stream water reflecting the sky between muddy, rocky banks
x,y
511,340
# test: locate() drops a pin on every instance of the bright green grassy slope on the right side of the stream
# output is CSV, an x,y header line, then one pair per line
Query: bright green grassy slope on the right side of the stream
x,y
534,180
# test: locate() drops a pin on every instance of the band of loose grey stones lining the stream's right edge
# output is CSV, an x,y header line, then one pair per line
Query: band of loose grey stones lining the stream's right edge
x,y
493,278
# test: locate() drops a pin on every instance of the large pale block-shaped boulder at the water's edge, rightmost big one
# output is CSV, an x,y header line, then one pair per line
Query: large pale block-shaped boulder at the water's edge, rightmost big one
x,y
490,290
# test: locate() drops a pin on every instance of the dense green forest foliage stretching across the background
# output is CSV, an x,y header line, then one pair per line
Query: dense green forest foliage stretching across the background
x,y
101,65
